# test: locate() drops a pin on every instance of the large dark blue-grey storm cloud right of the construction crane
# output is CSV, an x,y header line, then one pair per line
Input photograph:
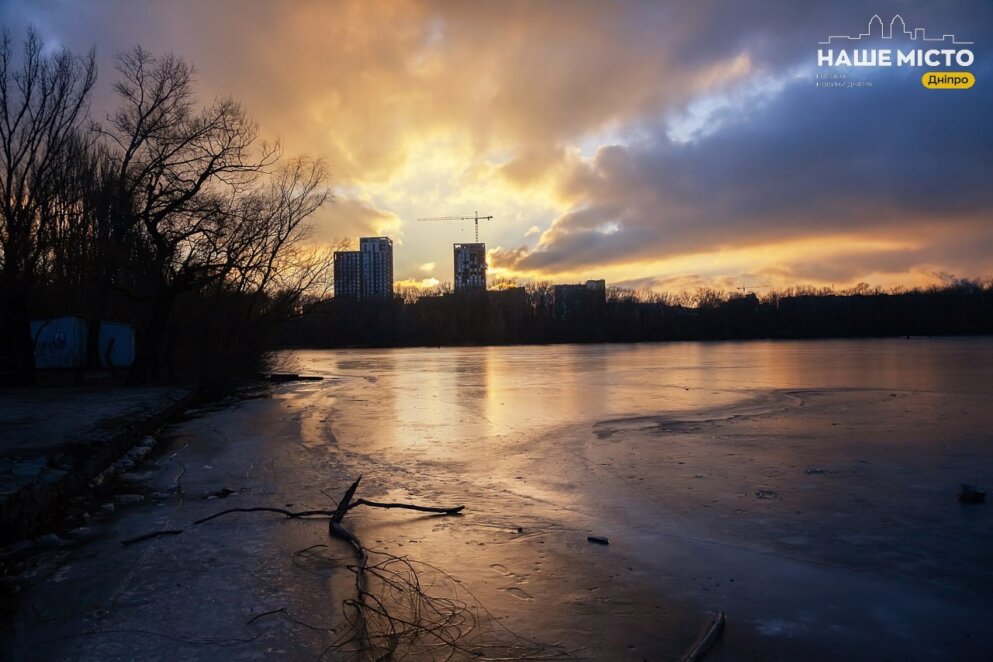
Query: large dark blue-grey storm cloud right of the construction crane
x,y
894,160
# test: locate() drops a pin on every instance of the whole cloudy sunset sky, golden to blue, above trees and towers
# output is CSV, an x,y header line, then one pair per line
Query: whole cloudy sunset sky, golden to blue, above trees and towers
x,y
665,145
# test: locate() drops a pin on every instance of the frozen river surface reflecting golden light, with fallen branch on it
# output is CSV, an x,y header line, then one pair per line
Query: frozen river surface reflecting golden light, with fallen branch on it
x,y
807,489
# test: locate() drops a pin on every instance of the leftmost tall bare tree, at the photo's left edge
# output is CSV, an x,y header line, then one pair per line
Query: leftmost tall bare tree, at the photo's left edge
x,y
43,101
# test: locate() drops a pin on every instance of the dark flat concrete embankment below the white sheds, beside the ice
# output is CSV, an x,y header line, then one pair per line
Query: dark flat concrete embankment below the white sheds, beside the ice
x,y
53,442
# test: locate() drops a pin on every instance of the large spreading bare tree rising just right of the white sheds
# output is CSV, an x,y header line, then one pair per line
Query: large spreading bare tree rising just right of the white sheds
x,y
185,191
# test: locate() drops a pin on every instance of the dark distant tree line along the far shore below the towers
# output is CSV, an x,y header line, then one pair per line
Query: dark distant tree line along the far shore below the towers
x,y
529,315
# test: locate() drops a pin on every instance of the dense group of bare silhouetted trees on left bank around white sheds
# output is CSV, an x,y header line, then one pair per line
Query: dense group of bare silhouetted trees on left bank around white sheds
x,y
169,214
